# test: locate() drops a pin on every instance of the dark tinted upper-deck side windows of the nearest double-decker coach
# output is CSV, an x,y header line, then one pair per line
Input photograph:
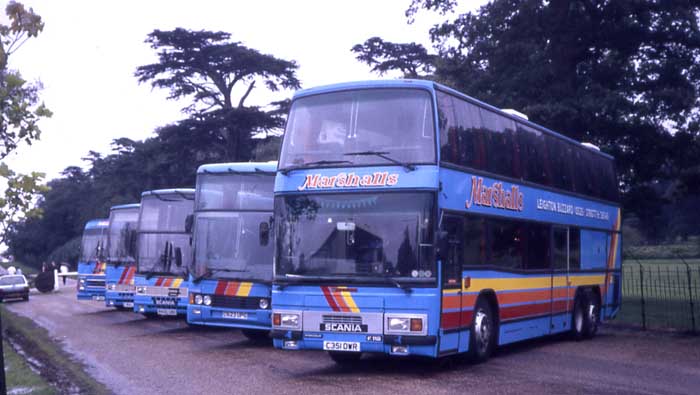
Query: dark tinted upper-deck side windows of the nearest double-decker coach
x,y
482,139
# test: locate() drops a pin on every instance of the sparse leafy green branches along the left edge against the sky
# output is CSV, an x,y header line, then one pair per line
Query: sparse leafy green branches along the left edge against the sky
x,y
20,112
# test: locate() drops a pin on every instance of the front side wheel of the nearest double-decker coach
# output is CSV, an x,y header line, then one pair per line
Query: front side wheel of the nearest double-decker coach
x,y
482,336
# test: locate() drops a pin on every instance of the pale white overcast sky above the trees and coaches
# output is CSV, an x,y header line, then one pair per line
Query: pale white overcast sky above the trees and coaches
x,y
89,50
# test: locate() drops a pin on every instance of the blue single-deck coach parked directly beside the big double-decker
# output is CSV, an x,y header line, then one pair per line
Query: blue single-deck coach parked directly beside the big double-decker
x,y
233,247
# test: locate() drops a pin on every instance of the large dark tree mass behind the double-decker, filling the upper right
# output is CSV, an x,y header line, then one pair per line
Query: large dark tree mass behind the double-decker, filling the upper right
x,y
624,75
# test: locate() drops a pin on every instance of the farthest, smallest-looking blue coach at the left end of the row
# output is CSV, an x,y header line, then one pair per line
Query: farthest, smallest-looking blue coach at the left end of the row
x,y
91,266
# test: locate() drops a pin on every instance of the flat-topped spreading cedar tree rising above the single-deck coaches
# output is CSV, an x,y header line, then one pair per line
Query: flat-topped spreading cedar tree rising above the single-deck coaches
x,y
207,68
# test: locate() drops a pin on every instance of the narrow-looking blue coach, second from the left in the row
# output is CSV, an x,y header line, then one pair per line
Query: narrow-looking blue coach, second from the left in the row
x,y
121,257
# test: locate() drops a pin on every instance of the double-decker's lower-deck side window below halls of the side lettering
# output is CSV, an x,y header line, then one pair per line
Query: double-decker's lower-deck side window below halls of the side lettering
x,y
506,244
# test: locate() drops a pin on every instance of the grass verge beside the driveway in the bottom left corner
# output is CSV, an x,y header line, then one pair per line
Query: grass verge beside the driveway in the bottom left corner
x,y
56,366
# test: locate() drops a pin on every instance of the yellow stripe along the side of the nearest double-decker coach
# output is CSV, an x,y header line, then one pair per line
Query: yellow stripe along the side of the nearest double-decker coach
x,y
508,284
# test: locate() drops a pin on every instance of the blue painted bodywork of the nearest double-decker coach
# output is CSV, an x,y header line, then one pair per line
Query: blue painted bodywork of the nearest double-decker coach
x,y
454,193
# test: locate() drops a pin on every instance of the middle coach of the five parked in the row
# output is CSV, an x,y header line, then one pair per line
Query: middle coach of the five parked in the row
x,y
164,252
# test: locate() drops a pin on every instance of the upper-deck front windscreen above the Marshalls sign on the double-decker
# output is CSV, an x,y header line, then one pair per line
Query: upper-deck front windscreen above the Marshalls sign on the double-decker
x,y
327,128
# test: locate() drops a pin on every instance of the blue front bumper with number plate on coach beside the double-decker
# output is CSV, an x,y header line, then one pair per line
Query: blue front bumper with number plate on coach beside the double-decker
x,y
237,318
